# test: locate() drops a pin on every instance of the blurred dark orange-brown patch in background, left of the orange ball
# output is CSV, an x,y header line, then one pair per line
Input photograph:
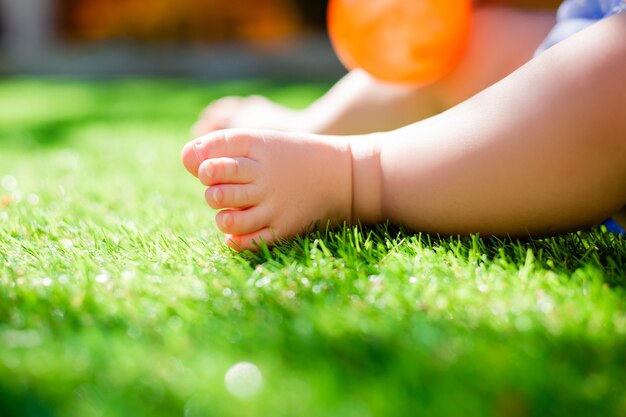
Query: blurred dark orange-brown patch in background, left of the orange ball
x,y
179,20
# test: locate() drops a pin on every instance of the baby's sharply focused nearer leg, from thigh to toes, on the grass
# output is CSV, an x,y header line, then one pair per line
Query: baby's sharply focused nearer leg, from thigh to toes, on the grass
x,y
538,153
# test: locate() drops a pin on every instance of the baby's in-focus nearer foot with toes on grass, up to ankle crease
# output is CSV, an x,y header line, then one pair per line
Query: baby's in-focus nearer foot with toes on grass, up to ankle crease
x,y
270,185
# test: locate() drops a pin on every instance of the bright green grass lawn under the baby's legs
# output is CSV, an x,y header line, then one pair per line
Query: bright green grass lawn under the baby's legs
x,y
117,297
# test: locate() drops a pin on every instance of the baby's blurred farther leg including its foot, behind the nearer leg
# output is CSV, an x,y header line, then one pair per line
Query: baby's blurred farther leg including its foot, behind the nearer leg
x,y
502,39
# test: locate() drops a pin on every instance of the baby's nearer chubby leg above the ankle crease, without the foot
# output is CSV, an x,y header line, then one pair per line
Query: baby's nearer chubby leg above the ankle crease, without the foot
x,y
540,152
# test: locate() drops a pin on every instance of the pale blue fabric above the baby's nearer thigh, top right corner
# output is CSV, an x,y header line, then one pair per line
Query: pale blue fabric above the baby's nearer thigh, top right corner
x,y
575,15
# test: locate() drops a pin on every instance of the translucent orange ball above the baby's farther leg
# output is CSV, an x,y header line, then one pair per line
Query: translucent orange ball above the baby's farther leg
x,y
409,41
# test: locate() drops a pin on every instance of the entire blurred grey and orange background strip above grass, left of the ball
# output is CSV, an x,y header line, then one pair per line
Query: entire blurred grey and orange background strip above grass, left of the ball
x,y
210,39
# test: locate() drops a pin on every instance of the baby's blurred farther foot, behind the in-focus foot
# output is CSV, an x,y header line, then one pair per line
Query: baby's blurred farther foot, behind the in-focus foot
x,y
254,112
